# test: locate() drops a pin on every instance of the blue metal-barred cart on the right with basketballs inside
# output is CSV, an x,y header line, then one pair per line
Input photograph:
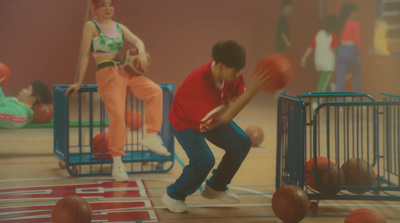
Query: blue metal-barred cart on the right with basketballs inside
x,y
340,126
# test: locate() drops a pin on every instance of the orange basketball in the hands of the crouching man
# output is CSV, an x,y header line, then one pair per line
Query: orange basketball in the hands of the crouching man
x,y
280,71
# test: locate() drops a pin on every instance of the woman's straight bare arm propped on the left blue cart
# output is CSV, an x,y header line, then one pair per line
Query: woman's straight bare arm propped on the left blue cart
x,y
87,37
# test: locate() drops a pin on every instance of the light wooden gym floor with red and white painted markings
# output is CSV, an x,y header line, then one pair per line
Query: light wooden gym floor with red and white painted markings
x,y
31,182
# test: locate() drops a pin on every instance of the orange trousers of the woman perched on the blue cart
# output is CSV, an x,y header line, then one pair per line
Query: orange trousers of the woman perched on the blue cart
x,y
113,84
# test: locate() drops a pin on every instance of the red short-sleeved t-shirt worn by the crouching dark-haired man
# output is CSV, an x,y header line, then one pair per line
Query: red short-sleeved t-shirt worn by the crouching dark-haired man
x,y
198,99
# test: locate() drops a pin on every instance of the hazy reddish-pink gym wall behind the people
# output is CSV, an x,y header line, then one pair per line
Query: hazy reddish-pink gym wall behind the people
x,y
40,39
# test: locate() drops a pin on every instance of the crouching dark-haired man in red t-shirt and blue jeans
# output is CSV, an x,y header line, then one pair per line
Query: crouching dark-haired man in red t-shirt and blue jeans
x,y
203,108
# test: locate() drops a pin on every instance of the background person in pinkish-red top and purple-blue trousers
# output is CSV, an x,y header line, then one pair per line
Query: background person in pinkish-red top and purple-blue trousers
x,y
348,55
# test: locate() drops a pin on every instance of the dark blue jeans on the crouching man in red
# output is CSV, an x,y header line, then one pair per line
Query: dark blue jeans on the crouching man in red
x,y
228,137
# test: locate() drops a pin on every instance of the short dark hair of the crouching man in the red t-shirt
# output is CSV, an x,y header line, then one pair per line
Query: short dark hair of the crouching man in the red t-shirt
x,y
229,53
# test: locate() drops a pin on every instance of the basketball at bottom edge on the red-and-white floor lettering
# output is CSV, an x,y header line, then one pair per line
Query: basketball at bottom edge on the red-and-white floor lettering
x,y
72,209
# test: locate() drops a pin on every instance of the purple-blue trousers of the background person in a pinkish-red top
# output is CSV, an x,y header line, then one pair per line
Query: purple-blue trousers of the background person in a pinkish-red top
x,y
348,59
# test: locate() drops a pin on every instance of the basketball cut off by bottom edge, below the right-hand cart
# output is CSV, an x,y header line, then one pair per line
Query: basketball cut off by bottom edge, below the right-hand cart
x,y
364,215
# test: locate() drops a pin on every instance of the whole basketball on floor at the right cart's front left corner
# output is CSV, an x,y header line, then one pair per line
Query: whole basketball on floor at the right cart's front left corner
x,y
290,203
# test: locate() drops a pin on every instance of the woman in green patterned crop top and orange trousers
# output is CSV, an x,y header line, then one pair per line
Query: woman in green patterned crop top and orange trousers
x,y
104,38
